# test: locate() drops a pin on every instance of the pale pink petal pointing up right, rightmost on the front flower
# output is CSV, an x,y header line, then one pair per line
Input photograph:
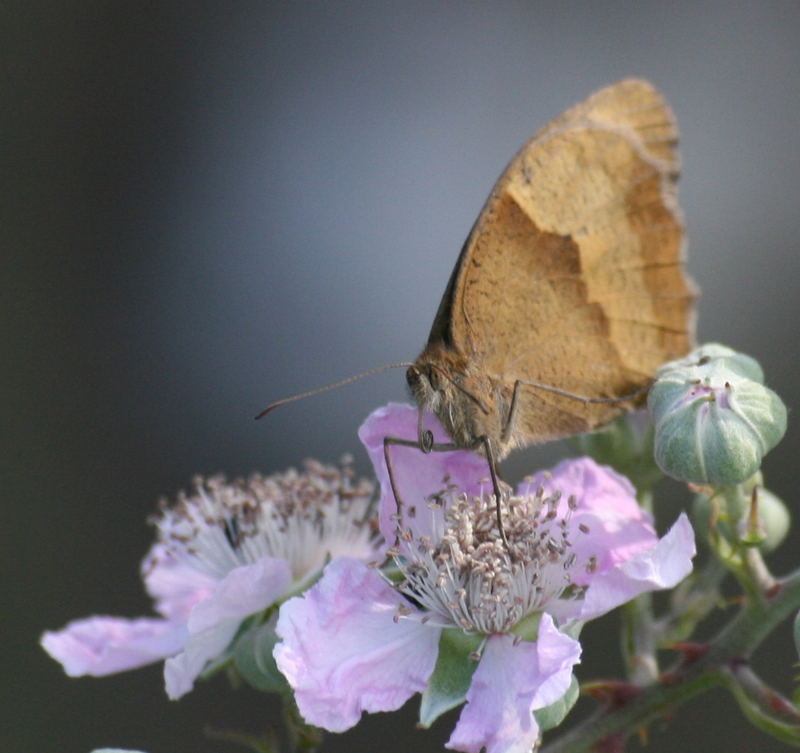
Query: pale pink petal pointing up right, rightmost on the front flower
x,y
664,565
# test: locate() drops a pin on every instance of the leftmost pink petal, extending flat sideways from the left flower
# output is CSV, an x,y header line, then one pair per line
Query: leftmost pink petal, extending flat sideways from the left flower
x,y
101,646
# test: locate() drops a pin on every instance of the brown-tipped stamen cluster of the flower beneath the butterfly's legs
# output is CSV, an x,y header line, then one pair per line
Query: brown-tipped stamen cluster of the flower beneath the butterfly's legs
x,y
466,574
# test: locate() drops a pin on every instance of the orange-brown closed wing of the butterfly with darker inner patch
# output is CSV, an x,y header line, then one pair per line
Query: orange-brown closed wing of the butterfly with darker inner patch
x,y
573,275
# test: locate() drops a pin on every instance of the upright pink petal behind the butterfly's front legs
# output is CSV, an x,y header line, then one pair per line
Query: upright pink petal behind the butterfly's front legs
x,y
416,474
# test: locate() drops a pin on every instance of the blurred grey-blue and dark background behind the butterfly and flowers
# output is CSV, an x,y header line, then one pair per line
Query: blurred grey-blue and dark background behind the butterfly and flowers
x,y
207,206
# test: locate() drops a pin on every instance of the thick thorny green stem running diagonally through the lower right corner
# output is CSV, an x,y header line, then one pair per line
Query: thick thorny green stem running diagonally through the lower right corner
x,y
733,645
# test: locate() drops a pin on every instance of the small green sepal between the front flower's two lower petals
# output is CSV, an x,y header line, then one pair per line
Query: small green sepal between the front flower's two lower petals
x,y
448,685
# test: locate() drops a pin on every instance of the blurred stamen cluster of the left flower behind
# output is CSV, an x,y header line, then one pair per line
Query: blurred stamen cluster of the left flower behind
x,y
304,517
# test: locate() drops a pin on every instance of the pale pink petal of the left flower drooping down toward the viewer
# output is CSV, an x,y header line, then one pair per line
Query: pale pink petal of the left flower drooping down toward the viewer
x,y
213,623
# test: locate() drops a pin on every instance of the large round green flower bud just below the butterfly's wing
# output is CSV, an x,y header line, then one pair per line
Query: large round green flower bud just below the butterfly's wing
x,y
714,419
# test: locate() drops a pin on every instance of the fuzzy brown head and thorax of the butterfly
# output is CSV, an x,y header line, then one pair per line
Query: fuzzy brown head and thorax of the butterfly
x,y
469,403
